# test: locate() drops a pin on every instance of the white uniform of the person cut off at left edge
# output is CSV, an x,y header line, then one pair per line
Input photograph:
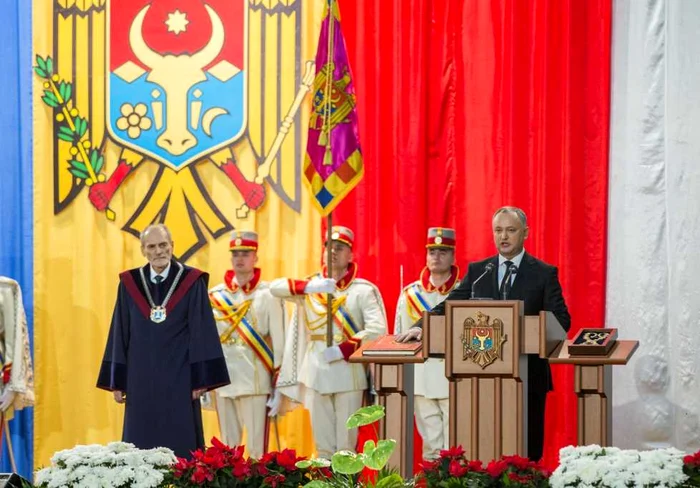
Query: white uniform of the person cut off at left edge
x,y
17,372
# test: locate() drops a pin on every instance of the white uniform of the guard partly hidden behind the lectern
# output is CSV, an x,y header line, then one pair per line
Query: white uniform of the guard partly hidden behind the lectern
x,y
431,401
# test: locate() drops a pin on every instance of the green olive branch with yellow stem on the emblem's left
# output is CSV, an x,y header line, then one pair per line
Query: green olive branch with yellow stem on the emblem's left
x,y
87,162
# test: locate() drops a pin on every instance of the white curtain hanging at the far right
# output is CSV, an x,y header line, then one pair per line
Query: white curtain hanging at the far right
x,y
653,286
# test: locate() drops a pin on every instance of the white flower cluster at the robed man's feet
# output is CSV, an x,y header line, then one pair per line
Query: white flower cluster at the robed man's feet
x,y
117,465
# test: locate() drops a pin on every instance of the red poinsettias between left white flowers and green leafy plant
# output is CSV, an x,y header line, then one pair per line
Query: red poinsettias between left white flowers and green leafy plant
x,y
225,467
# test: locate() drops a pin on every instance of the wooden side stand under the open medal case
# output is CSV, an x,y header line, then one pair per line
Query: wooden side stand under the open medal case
x,y
593,387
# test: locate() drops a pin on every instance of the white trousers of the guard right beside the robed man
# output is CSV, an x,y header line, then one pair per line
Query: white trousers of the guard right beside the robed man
x,y
247,412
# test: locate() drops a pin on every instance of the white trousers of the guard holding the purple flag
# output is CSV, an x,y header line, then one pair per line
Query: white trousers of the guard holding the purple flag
x,y
328,416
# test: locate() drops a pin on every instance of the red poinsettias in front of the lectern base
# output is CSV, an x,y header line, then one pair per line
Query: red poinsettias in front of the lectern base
x,y
453,470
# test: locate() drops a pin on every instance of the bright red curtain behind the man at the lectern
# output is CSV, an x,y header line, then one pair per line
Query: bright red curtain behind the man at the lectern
x,y
468,105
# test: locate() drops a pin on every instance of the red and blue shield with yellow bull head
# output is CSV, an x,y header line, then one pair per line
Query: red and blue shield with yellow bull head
x,y
176,83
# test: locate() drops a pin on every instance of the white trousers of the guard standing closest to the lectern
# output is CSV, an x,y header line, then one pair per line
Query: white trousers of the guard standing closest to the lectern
x,y
433,422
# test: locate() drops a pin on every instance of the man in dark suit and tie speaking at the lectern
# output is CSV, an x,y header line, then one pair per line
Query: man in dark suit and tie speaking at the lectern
x,y
531,280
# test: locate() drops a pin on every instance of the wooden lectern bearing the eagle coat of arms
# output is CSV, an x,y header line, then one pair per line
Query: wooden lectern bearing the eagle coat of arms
x,y
488,397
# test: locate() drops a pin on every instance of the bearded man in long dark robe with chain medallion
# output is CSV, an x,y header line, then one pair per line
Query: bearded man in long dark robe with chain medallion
x,y
163,350
